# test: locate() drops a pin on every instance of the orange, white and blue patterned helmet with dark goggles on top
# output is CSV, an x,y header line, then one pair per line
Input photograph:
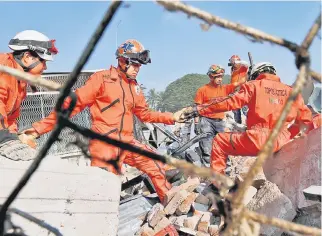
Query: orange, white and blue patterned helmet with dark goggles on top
x,y
133,51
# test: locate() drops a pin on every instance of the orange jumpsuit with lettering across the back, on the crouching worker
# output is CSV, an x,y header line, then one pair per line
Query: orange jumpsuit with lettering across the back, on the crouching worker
x,y
265,97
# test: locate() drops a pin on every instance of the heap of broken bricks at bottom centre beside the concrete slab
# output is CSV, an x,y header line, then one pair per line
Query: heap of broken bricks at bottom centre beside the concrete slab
x,y
186,211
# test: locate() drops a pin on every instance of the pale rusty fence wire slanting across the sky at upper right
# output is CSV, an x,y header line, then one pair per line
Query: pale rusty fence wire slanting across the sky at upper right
x,y
245,30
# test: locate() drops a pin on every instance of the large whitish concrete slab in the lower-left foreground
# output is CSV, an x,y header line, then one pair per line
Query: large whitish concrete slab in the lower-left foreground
x,y
76,200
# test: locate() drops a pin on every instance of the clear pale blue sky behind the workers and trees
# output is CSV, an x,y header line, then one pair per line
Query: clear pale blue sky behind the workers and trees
x,y
178,45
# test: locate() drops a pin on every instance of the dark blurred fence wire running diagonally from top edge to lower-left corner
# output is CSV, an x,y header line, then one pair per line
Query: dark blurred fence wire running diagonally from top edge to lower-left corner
x,y
64,93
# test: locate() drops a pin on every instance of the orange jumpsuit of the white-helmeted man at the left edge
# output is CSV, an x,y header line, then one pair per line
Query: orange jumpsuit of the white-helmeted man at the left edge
x,y
12,94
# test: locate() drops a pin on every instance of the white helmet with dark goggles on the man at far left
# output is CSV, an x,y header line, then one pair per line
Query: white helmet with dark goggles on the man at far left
x,y
34,41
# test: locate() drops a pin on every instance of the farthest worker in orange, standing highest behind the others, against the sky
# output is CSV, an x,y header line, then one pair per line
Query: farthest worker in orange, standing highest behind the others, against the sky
x,y
238,71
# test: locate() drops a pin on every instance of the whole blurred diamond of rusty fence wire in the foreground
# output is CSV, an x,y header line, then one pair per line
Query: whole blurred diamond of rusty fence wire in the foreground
x,y
238,211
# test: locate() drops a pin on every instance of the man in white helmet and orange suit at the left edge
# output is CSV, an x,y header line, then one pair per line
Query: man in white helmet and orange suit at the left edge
x,y
31,51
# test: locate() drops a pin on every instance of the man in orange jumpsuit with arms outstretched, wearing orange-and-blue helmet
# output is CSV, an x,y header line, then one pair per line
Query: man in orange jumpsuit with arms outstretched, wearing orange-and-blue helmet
x,y
114,96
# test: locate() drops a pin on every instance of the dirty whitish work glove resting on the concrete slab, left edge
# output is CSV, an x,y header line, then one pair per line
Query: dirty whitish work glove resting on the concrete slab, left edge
x,y
17,151
